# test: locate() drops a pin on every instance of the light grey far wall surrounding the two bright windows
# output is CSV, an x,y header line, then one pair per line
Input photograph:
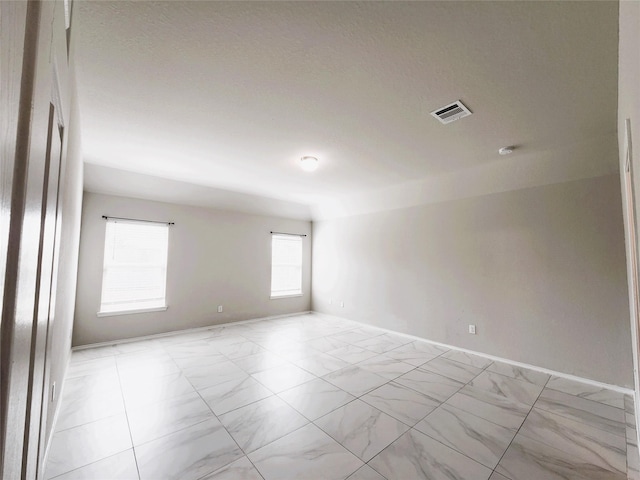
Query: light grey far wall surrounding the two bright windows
x,y
215,258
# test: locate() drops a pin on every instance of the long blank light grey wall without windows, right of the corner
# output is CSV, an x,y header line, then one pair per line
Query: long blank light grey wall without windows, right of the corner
x,y
540,271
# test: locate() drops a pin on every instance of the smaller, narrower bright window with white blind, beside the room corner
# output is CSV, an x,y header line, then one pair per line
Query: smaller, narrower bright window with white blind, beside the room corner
x,y
286,265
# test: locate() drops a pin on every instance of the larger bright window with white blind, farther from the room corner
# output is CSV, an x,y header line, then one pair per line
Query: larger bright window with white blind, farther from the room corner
x,y
135,266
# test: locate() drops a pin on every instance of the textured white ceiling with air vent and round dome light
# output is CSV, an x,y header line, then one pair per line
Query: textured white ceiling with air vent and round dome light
x,y
230,95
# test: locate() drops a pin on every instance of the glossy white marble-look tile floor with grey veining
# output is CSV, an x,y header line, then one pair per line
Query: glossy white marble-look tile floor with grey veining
x,y
316,397
